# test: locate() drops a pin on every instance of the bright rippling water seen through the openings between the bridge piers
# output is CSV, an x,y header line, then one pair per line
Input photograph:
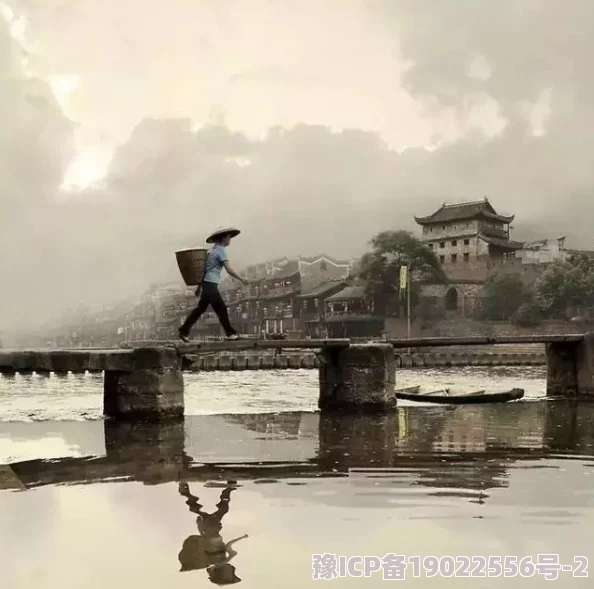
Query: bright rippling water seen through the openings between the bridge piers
x,y
79,397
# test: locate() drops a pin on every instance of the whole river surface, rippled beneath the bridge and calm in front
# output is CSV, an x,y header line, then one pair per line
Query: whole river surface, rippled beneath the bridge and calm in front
x,y
90,504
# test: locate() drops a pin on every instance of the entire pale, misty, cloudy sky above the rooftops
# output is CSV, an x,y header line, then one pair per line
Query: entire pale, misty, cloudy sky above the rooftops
x,y
130,129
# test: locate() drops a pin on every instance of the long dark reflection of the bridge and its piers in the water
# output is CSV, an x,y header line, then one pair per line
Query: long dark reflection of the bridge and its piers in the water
x,y
461,448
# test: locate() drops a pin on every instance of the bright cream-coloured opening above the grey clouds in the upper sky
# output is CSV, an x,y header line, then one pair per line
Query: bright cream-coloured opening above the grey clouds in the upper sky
x,y
249,65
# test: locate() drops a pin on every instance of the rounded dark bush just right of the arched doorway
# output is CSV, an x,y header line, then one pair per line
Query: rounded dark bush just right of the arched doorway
x,y
504,294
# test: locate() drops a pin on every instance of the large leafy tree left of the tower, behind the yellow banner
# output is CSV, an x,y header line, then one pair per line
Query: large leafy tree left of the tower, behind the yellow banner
x,y
381,268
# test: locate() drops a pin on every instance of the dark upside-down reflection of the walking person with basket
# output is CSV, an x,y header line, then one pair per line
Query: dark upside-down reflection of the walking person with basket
x,y
208,550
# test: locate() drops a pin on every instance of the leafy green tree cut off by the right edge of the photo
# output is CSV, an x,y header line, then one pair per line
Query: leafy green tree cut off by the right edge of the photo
x,y
566,286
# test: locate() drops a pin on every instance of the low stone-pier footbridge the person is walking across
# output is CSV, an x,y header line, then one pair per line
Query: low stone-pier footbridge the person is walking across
x,y
147,382
